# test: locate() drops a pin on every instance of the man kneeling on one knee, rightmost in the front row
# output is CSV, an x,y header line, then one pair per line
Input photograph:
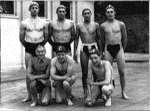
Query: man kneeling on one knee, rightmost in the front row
x,y
101,73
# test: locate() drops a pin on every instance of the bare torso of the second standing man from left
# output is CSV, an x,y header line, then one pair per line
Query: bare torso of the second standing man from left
x,y
61,31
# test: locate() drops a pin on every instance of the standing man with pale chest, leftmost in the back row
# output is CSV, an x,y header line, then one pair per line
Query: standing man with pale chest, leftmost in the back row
x,y
33,31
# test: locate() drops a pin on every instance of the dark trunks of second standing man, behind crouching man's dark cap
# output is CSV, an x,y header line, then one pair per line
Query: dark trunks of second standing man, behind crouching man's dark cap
x,y
66,45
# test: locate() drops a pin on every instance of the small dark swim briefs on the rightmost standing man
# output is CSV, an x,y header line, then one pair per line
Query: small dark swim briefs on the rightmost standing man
x,y
113,49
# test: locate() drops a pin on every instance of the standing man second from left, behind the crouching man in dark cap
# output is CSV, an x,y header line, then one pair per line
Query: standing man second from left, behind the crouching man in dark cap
x,y
61,31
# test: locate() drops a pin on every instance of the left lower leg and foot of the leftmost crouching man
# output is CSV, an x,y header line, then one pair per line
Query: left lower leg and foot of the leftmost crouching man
x,y
34,93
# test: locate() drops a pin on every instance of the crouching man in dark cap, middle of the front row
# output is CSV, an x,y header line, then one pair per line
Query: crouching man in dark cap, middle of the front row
x,y
63,75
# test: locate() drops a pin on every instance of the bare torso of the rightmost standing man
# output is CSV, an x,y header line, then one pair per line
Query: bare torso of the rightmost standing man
x,y
112,32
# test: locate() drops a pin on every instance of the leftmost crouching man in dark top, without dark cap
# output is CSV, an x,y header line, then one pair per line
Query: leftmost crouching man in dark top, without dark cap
x,y
38,73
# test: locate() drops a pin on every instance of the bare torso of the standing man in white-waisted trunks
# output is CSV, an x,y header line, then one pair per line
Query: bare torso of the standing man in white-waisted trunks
x,y
88,32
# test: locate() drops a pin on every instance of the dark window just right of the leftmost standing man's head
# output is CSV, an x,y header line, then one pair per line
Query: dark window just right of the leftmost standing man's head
x,y
42,11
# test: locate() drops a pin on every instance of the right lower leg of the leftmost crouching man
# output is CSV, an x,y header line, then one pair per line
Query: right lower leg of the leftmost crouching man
x,y
46,96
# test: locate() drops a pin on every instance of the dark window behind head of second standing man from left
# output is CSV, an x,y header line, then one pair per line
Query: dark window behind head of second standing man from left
x,y
68,6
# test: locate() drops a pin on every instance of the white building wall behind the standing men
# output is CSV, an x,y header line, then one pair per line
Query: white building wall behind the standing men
x,y
12,52
